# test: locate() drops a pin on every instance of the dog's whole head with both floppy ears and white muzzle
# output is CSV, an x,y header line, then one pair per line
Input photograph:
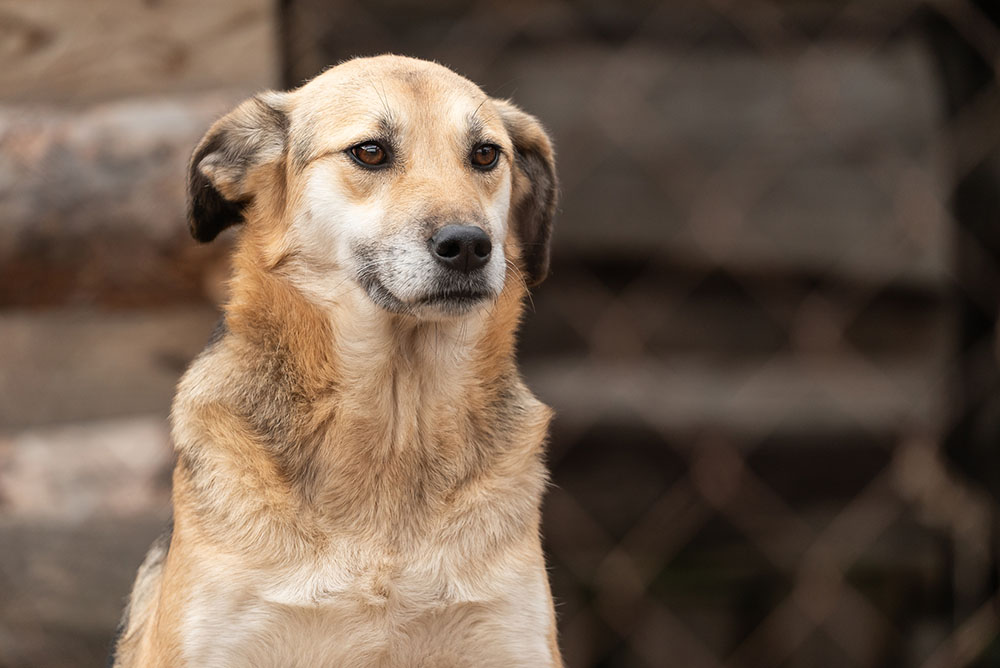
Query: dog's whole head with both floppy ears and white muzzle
x,y
391,175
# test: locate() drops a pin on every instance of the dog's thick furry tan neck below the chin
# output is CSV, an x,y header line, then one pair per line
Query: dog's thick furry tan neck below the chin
x,y
352,396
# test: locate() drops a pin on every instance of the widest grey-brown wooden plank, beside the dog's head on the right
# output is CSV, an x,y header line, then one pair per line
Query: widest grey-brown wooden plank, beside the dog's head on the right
x,y
824,164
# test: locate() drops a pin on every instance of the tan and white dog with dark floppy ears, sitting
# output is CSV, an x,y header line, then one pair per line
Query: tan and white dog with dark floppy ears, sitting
x,y
359,465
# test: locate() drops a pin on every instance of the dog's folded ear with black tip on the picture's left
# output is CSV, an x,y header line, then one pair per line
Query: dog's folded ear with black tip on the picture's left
x,y
221,174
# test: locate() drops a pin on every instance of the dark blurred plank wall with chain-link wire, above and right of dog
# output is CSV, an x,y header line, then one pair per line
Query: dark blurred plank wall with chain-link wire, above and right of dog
x,y
770,333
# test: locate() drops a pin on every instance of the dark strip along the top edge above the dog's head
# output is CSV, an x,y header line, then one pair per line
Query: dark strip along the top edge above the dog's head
x,y
474,37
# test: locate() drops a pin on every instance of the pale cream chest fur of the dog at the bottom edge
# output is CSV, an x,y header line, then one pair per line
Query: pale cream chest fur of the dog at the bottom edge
x,y
349,610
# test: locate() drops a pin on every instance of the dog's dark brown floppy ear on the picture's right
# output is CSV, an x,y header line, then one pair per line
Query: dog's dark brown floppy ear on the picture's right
x,y
535,189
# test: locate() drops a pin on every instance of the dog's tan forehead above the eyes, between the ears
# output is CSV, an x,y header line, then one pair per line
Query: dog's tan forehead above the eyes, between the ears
x,y
366,94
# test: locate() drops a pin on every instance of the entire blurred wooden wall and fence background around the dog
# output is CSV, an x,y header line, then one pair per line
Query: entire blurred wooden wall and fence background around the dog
x,y
769,334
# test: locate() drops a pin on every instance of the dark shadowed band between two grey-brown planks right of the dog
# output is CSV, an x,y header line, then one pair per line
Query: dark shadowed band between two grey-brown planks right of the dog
x,y
616,307
